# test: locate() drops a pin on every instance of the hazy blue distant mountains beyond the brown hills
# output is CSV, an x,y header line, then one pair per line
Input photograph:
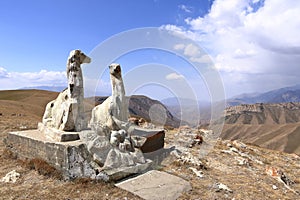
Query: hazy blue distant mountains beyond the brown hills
x,y
195,112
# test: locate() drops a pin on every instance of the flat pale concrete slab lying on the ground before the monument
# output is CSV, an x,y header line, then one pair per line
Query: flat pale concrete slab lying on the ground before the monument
x,y
156,185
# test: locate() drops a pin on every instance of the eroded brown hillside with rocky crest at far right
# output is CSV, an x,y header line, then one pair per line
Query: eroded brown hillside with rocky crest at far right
x,y
273,126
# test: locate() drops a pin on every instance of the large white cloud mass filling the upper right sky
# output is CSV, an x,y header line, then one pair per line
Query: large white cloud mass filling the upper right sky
x,y
250,39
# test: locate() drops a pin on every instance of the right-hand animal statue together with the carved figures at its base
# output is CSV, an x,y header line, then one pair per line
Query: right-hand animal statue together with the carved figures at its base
x,y
114,147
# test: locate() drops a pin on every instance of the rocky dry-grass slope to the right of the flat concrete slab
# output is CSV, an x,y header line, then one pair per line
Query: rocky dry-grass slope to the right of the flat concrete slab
x,y
234,170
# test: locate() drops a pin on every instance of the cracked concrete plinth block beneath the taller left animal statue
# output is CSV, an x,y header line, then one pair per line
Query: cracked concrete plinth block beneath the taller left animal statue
x,y
71,158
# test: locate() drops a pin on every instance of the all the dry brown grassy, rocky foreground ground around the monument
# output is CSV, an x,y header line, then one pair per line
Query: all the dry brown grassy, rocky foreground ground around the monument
x,y
230,170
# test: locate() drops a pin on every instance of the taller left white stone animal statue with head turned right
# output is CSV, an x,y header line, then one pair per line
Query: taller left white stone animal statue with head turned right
x,y
66,112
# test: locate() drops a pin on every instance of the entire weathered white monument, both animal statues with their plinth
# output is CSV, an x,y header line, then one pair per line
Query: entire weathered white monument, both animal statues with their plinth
x,y
111,149
